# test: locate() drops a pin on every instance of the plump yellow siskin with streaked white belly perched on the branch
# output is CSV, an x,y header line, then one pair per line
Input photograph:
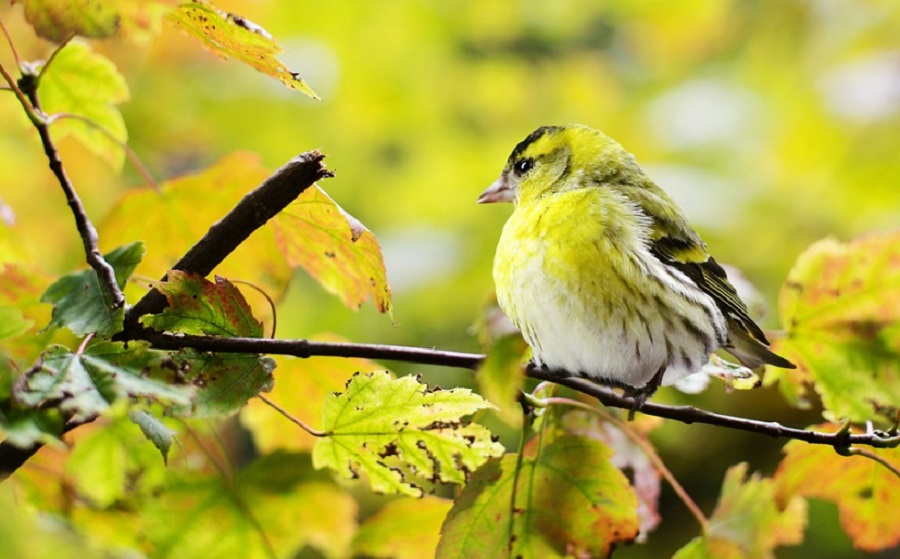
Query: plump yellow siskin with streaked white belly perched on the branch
x,y
603,274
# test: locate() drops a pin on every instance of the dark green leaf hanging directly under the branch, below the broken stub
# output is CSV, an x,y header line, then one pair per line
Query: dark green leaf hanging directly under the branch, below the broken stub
x,y
224,381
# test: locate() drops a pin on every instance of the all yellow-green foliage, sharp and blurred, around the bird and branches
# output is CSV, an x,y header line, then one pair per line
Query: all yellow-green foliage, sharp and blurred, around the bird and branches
x,y
421,104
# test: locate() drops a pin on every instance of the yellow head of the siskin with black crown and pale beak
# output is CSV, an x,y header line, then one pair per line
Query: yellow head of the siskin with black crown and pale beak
x,y
555,159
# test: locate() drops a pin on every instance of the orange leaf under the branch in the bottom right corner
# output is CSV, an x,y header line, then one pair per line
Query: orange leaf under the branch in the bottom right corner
x,y
862,489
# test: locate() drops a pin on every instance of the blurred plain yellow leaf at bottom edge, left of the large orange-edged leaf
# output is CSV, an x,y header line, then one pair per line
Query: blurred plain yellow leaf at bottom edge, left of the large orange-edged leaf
x,y
387,533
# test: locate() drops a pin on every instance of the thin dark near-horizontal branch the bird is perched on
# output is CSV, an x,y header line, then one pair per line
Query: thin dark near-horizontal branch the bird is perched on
x,y
424,356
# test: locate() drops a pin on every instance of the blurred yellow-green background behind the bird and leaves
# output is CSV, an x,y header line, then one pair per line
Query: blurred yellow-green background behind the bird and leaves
x,y
773,123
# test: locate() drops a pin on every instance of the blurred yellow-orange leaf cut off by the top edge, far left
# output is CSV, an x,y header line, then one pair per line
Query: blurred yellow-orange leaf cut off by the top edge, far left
x,y
56,20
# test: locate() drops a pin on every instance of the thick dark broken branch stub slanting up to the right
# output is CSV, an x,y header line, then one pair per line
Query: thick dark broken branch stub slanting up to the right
x,y
251,213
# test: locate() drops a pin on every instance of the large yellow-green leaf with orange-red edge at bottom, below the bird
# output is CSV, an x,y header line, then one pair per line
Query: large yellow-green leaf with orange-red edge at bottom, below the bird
x,y
569,501
